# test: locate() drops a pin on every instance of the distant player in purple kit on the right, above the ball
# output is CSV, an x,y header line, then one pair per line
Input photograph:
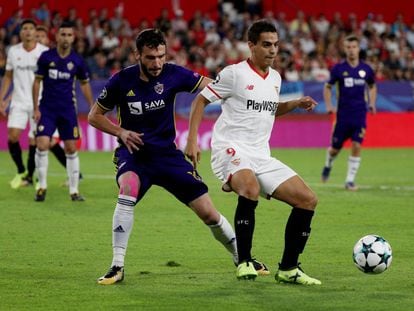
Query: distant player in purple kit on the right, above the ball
x,y
351,78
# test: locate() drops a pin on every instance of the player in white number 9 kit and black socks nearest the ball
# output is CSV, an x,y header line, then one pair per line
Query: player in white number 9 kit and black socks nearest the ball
x,y
241,158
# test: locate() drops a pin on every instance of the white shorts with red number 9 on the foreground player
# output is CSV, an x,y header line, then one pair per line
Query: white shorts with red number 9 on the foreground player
x,y
270,172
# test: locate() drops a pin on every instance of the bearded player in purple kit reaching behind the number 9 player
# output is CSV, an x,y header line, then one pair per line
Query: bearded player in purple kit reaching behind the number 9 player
x,y
144,96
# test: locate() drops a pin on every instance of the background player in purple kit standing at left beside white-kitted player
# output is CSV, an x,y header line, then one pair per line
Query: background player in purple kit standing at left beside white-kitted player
x,y
58,69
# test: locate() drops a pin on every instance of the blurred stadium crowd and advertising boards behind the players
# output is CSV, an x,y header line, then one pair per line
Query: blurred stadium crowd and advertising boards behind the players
x,y
208,35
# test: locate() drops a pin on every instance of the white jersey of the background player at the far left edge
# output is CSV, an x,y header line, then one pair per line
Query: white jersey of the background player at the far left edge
x,y
23,63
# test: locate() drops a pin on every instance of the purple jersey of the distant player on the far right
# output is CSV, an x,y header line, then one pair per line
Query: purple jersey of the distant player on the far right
x,y
351,85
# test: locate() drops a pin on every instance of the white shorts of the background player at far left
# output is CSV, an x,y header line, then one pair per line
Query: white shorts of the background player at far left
x,y
18,117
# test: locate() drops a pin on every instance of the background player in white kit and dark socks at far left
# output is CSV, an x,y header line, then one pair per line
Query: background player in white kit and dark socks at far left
x,y
20,66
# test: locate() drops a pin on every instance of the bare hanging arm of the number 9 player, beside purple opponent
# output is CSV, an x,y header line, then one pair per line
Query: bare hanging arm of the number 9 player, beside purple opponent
x,y
192,150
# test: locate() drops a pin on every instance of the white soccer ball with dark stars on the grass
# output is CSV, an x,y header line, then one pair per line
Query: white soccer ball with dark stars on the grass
x,y
372,254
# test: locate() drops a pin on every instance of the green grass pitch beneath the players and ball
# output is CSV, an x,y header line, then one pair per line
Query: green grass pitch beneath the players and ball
x,y
51,253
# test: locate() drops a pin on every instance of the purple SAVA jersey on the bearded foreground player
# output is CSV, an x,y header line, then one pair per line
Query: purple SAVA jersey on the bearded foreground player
x,y
148,107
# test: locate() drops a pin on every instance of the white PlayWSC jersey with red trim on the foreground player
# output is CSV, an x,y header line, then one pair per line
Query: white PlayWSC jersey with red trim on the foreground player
x,y
249,102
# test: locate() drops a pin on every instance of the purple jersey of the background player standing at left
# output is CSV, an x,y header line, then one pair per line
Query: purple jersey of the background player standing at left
x,y
59,76
